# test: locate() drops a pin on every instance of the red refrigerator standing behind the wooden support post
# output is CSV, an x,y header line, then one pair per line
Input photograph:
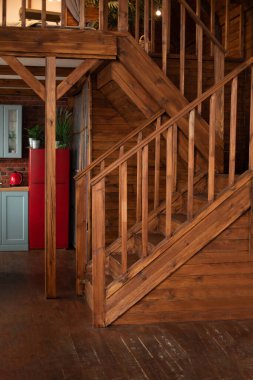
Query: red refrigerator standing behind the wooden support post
x,y
37,198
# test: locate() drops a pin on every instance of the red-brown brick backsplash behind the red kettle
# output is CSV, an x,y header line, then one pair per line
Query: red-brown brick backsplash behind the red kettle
x,y
8,166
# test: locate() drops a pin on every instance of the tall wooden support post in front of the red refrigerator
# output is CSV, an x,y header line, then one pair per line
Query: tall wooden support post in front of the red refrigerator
x,y
50,175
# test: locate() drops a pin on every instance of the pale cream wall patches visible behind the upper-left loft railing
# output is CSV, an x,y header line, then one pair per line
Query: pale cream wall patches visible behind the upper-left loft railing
x,y
13,7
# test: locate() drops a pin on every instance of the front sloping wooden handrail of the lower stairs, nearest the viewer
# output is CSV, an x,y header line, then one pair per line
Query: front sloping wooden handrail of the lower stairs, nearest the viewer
x,y
172,120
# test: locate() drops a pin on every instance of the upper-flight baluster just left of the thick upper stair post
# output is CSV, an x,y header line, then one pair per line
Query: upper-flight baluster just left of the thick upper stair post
x,y
199,40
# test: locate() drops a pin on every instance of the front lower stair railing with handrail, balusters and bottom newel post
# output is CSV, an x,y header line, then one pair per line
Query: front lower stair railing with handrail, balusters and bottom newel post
x,y
143,148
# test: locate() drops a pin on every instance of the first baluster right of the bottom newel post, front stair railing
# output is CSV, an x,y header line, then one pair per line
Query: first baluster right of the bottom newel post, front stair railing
x,y
123,214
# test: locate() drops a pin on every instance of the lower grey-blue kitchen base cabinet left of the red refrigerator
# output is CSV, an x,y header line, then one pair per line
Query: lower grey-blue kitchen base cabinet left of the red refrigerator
x,y
14,220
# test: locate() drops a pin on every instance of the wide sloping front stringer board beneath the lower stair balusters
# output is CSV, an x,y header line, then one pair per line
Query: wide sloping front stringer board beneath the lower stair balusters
x,y
175,252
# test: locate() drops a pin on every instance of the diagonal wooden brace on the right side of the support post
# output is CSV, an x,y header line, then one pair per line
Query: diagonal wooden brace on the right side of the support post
x,y
76,74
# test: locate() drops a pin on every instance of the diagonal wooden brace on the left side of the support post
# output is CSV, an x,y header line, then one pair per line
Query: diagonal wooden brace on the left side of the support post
x,y
26,75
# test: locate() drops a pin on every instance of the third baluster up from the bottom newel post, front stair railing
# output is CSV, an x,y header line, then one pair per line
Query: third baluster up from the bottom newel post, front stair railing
x,y
169,181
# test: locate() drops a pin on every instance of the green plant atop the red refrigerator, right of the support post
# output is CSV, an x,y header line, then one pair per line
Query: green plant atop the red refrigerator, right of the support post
x,y
63,128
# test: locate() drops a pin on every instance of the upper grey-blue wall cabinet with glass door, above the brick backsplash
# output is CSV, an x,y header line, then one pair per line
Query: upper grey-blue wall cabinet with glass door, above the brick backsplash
x,y
10,131
